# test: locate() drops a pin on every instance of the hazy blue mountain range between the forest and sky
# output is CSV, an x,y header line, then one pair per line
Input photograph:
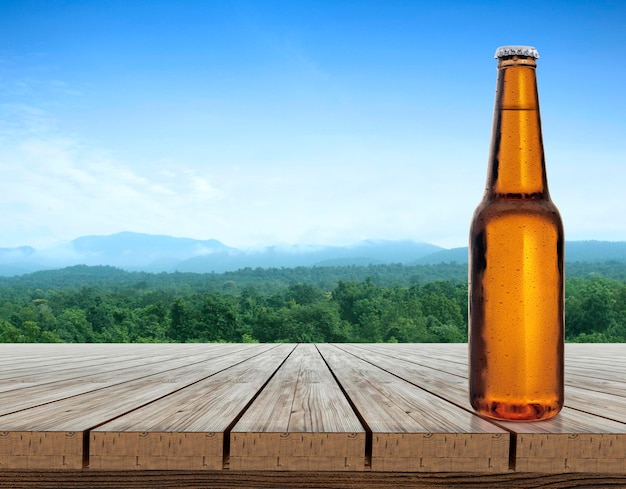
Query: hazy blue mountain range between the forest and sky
x,y
158,253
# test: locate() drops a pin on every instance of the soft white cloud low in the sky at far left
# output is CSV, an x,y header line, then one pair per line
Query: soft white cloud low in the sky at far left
x,y
63,190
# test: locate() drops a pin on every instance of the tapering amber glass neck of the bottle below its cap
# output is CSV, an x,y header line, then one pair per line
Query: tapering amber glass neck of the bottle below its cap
x,y
517,165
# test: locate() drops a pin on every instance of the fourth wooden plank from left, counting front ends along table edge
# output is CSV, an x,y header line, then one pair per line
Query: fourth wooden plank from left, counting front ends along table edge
x,y
413,430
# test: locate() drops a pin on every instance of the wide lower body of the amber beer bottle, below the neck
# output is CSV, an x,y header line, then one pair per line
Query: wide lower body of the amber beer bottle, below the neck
x,y
516,312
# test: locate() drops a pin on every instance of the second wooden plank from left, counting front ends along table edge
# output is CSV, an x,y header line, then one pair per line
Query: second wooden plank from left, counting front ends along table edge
x,y
186,429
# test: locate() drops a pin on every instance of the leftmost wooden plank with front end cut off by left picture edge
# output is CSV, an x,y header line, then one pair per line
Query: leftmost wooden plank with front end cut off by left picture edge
x,y
51,436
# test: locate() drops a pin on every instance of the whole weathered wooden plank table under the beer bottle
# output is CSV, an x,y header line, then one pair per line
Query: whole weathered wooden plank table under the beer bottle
x,y
327,415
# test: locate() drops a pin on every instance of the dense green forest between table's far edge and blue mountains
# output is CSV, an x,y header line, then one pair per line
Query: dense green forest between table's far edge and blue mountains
x,y
377,303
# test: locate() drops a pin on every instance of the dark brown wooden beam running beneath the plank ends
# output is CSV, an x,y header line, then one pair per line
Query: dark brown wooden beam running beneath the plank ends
x,y
94,479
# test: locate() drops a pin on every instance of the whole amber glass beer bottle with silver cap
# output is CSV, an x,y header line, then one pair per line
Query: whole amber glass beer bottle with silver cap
x,y
516,318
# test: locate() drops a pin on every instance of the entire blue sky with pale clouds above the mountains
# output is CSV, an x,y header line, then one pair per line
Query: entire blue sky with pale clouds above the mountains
x,y
297,122
